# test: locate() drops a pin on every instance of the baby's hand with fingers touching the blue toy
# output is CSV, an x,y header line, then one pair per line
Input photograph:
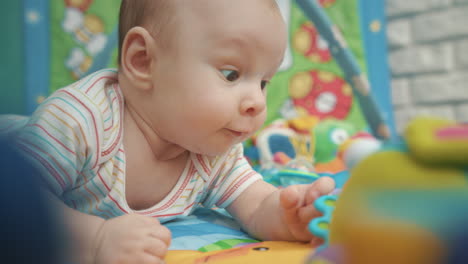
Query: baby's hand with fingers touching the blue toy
x,y
297,204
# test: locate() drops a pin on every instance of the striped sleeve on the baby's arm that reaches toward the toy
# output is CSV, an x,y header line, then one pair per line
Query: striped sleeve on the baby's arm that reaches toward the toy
x,y
235,175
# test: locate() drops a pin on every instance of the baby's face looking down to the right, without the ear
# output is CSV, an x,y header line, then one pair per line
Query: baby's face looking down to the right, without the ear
x,y
210,83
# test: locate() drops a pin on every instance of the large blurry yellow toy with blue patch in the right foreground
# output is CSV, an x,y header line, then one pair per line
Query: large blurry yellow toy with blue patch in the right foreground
x,y
407,202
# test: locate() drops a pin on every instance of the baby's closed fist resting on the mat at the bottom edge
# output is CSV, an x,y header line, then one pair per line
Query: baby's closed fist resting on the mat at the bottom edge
x,y
132,239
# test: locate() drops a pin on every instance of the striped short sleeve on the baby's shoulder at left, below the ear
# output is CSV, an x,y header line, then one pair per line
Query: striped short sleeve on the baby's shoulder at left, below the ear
x,y
61,139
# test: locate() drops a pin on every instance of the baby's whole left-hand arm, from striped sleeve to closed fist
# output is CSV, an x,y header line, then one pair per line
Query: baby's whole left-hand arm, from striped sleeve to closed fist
x,y
62,140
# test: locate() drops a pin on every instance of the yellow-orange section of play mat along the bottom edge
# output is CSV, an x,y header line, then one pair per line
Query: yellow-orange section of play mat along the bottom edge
x,y
263,252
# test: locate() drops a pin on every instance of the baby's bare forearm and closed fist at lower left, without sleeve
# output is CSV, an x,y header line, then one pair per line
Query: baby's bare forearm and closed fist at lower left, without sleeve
x,y
126,239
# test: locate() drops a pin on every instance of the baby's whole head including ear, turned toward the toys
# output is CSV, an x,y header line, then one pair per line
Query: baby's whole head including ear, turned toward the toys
x,y
194,72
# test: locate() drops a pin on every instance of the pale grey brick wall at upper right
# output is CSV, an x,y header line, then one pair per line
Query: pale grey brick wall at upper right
x,y
428,41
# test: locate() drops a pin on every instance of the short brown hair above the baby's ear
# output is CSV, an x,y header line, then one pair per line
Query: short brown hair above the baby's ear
x,y
153,15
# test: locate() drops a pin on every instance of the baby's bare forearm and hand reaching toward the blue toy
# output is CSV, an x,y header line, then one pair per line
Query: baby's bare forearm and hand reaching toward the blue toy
x,y
269,213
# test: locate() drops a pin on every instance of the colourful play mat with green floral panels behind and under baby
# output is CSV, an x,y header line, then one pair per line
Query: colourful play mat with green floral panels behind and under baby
x,y
325,93
